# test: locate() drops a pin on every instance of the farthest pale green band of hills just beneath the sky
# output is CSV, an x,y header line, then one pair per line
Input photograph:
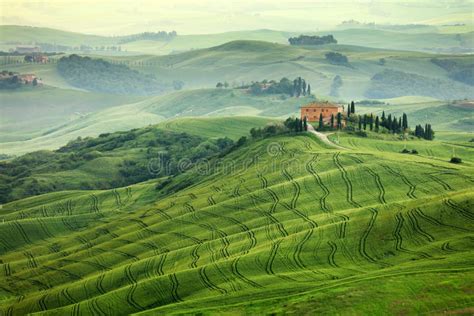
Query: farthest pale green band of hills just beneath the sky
x,y
428,39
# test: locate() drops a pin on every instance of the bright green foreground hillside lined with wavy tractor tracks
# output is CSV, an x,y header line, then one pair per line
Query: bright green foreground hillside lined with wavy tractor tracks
x,y
293,226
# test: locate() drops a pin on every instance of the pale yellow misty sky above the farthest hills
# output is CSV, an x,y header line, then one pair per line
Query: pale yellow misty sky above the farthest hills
x,y
205,16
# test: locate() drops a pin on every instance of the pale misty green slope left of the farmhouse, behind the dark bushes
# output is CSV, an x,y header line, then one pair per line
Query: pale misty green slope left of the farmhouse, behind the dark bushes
x,y
192,103
